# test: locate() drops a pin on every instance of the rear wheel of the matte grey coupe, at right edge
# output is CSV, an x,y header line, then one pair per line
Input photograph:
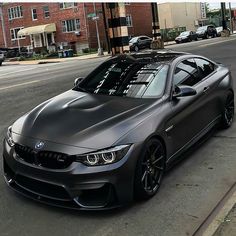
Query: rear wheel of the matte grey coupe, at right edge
x,y
228,113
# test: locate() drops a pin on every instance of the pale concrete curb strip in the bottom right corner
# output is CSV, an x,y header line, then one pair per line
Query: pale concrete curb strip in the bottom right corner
x,y
217,216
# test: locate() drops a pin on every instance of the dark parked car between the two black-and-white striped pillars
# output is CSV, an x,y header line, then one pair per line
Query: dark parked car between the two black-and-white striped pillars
x,y
140,42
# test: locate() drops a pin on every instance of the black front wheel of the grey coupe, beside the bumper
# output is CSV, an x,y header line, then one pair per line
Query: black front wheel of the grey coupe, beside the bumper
x,y
149,170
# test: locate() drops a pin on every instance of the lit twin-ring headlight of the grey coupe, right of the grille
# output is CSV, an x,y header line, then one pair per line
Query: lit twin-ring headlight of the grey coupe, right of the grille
x,y
104,157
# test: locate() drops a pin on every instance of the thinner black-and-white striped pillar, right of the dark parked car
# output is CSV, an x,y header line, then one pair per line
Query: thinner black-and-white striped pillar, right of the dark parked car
x,y
157,39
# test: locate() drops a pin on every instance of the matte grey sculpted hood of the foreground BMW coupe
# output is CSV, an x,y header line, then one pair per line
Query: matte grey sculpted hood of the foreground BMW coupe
x,y
82,119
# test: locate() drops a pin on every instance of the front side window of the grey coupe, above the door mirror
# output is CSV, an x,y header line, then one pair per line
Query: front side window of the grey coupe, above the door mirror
x,y
186,73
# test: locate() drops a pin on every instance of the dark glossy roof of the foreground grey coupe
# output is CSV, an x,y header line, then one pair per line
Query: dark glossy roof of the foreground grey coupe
x,y
151,56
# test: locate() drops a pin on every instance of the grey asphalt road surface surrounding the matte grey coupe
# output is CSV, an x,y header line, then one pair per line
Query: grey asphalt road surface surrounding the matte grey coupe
x,y
189,192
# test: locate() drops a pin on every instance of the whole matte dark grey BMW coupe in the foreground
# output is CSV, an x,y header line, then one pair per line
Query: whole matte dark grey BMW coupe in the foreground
x,y
110,138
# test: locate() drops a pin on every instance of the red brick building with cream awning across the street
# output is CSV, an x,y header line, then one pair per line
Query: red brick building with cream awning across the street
x,y
52,26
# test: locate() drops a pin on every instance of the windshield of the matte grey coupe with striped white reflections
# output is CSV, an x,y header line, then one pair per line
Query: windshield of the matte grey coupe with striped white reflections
x,y
126,79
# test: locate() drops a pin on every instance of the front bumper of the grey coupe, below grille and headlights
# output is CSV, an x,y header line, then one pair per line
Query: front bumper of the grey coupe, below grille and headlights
x,y
76,187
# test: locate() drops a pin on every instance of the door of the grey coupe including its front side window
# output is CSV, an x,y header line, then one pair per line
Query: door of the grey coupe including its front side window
x,y
189,114
